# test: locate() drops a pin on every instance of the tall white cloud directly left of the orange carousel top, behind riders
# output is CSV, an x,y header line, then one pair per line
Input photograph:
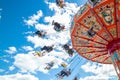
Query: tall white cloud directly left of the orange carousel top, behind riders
x,y
63,16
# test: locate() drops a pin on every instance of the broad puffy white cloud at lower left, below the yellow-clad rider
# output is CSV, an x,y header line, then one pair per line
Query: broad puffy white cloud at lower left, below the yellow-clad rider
x,y
30,63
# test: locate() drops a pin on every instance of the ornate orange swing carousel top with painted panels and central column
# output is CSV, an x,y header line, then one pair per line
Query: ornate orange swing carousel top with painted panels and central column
x,y
95,32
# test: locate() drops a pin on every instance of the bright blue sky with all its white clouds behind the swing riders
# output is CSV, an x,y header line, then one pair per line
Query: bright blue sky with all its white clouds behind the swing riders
x,y
18,20
